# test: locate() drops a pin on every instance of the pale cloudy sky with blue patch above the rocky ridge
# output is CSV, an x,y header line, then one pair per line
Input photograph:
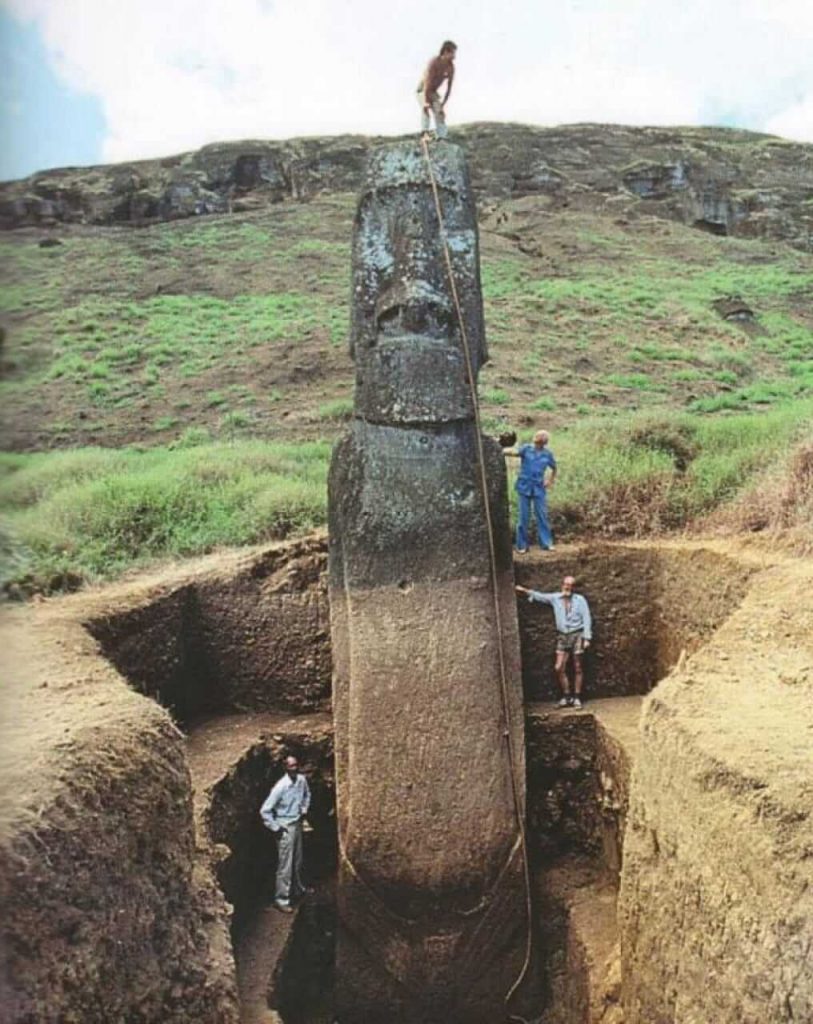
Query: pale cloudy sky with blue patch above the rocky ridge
x,y
100,81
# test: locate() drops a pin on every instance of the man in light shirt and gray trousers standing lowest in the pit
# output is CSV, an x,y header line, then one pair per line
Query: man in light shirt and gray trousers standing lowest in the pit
x,y
283,813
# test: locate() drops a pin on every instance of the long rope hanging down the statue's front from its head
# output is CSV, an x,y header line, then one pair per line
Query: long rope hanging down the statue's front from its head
x,y
495,582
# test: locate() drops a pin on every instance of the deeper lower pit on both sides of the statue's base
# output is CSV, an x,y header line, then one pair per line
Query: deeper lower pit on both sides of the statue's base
x,y
579,769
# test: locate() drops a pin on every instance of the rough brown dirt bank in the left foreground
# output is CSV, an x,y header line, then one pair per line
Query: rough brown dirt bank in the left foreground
x,y
104,918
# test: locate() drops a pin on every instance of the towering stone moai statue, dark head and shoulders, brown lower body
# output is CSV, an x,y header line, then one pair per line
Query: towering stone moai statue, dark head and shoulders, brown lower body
x,y
432,898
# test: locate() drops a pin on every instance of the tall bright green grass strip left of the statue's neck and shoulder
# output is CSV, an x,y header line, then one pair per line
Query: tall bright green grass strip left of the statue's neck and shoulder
x,y
96,513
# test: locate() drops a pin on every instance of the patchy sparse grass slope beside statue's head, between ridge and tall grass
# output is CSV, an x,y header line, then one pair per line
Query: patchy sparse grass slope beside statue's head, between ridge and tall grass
x,y
110,320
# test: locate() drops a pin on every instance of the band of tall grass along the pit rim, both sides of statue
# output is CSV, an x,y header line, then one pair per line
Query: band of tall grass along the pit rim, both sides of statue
x,y
97,513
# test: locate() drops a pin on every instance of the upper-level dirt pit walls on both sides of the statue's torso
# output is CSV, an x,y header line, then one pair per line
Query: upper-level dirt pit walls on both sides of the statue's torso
x,y
253,634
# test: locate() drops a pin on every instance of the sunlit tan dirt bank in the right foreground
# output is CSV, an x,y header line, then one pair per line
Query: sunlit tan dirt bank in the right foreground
x,y
717,889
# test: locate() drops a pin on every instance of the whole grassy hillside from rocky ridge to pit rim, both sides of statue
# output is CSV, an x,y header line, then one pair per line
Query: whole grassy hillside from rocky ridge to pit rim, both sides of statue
x,y
176,388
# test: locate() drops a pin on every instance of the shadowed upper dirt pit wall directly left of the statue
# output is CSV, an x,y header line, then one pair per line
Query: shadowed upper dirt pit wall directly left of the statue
x,y
250,633
